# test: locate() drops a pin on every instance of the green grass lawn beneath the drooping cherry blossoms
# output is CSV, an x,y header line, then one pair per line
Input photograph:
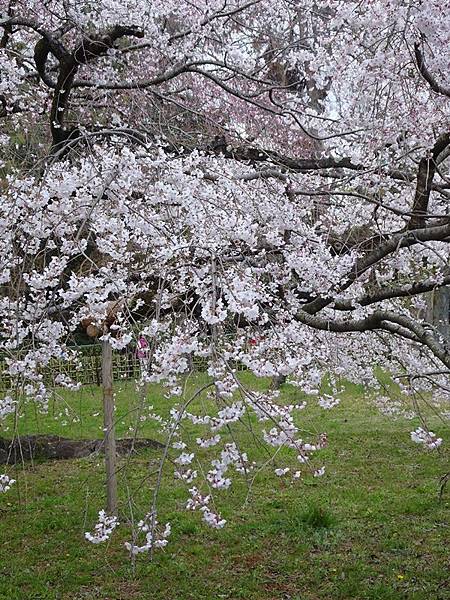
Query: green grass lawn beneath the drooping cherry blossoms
x,y
371,528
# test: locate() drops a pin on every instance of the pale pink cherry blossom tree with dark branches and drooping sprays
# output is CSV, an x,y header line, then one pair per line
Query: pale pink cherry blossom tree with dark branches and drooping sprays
x,y
263,183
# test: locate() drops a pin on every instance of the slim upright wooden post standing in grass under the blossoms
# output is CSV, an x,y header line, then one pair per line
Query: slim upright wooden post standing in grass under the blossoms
x,y
109,430
